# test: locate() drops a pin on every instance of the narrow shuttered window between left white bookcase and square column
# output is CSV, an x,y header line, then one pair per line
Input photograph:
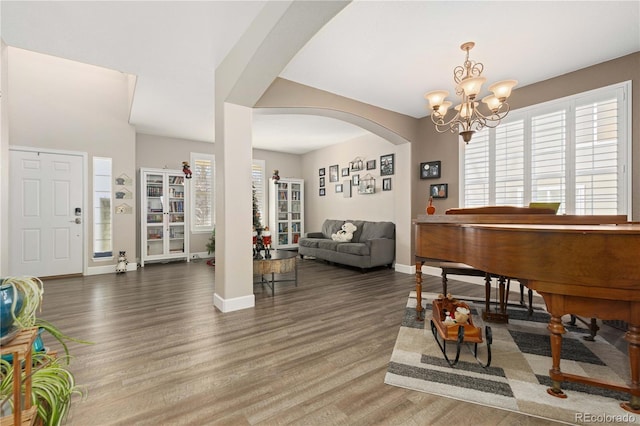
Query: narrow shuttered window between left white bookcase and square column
x,y
202,195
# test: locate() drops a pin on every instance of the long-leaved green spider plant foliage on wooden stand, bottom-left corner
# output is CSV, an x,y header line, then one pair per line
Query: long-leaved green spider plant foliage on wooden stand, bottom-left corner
x,y
52,384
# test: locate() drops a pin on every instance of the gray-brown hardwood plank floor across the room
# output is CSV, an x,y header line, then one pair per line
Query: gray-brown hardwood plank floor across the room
x,y
312,355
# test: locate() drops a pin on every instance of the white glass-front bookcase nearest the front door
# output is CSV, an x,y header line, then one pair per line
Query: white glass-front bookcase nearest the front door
x,y
164,218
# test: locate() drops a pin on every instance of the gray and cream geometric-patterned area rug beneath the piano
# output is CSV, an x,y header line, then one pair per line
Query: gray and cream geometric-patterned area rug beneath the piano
x,y
517,379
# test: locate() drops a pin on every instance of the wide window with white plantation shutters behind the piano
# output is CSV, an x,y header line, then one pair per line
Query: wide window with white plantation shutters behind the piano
x,y
575,151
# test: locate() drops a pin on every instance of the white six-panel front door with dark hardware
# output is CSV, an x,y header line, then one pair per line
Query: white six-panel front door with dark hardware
x,y
46,216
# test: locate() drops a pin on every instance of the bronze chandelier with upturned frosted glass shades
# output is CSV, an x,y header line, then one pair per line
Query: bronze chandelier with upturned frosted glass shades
x,y
468,118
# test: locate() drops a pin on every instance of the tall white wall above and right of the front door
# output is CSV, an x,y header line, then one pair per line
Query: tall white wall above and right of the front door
x,y
64,105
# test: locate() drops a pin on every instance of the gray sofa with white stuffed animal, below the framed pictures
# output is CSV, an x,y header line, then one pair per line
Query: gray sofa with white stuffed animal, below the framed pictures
x,y
373,244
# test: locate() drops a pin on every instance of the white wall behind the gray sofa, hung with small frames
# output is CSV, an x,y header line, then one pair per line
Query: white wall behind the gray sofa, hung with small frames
x,y
379,206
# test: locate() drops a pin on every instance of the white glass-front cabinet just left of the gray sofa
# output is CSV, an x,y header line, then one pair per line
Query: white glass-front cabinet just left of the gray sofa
x,y
286,215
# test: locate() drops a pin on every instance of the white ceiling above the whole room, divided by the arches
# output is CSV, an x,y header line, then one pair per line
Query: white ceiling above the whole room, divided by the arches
x,y
385,53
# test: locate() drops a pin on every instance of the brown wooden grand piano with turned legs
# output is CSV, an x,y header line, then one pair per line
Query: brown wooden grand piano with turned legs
x,y
581,265
